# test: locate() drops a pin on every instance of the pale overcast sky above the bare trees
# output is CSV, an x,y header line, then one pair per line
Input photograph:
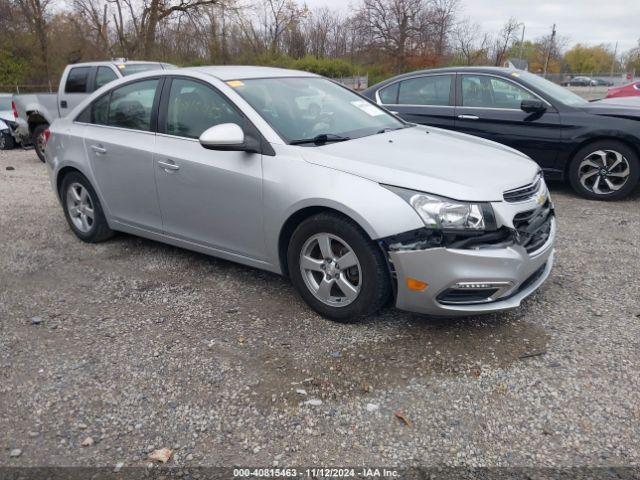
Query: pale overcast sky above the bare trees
x,y
586,21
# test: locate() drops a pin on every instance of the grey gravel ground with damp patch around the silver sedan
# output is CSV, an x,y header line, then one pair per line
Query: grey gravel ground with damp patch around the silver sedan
x,y
140,346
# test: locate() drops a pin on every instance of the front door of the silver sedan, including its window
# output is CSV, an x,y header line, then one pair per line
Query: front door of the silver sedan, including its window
x,y
207,197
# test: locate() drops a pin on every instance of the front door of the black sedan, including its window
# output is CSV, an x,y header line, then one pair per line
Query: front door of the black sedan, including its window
x,y
489,107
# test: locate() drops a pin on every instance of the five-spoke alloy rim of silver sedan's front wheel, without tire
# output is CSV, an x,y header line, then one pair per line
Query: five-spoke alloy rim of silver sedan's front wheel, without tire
x,y
330,269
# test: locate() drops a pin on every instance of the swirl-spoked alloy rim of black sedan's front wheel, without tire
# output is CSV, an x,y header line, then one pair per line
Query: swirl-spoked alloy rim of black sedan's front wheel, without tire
x,y
604,172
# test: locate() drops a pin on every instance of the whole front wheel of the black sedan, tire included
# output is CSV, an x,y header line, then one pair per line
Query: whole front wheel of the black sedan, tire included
x,y
605,170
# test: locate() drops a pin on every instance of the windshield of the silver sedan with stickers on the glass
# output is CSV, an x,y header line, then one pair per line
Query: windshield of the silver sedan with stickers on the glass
x,y
302,108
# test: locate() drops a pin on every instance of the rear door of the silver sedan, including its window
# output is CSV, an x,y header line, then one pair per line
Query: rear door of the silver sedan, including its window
x,y
119,142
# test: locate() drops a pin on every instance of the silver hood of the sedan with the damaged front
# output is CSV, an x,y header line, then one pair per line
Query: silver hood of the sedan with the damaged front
x,y
431,160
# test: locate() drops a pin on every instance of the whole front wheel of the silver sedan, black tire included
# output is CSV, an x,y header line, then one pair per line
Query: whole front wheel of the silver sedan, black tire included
x,y
337,269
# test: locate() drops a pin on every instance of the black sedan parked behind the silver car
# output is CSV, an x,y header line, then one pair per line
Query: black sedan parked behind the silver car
x,y
595,147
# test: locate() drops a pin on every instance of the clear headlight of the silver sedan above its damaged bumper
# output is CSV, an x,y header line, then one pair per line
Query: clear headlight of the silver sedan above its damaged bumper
x,y
446,214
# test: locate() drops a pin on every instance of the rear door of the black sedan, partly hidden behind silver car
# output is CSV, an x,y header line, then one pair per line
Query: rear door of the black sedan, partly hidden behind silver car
x,y
426,99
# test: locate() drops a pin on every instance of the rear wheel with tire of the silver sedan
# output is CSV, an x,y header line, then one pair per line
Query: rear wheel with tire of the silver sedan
x,y
82,209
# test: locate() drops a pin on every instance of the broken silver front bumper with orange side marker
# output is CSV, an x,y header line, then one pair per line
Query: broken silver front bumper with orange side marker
x,y
466,278
